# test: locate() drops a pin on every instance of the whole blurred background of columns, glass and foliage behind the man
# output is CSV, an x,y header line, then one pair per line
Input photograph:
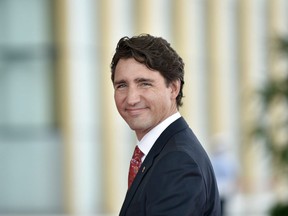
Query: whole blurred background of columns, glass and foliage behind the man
x,y
64,149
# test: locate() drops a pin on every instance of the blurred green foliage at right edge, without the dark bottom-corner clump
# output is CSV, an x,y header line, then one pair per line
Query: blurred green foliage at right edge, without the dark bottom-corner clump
x,y
275,90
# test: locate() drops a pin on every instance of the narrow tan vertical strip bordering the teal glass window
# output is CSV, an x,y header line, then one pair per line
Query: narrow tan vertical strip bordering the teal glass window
x,y
62,102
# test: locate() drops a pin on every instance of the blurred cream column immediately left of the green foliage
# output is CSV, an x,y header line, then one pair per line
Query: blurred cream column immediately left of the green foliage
x,y
253,72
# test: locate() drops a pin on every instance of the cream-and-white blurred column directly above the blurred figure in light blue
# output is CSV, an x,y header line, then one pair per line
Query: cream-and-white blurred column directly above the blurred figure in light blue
x,y
222,71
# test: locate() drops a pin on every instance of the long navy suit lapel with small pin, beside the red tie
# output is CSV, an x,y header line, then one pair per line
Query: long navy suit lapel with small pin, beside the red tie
x,y
172,129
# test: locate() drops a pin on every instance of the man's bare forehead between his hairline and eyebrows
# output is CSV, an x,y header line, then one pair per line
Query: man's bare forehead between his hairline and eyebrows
x,y
130,69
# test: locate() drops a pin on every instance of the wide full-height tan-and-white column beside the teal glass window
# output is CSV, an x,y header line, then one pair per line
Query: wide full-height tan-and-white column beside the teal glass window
x,y
77,81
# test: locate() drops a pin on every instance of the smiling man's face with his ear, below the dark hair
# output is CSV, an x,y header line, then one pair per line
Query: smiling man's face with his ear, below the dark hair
x,y
142,97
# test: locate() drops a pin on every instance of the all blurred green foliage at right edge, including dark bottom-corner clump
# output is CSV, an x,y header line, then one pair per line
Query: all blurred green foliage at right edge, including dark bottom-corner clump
x,y
275,95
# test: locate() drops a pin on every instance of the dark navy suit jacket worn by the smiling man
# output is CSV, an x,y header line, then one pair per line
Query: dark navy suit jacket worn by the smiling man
x,y
176,178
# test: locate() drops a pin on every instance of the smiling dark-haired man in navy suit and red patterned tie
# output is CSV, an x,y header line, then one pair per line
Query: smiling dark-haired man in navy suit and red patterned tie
x,y
176,177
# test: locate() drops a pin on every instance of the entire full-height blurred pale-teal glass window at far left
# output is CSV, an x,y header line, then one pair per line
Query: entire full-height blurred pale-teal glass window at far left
x,y
30,152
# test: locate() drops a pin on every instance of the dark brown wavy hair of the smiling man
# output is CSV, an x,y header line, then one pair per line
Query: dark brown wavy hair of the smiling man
x,y
156,53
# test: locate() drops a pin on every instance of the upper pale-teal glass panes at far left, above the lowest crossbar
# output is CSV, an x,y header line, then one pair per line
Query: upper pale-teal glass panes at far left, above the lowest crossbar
x,y
26,65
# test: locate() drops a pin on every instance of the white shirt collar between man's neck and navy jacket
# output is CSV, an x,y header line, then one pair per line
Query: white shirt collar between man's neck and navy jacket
x,y
146,143
